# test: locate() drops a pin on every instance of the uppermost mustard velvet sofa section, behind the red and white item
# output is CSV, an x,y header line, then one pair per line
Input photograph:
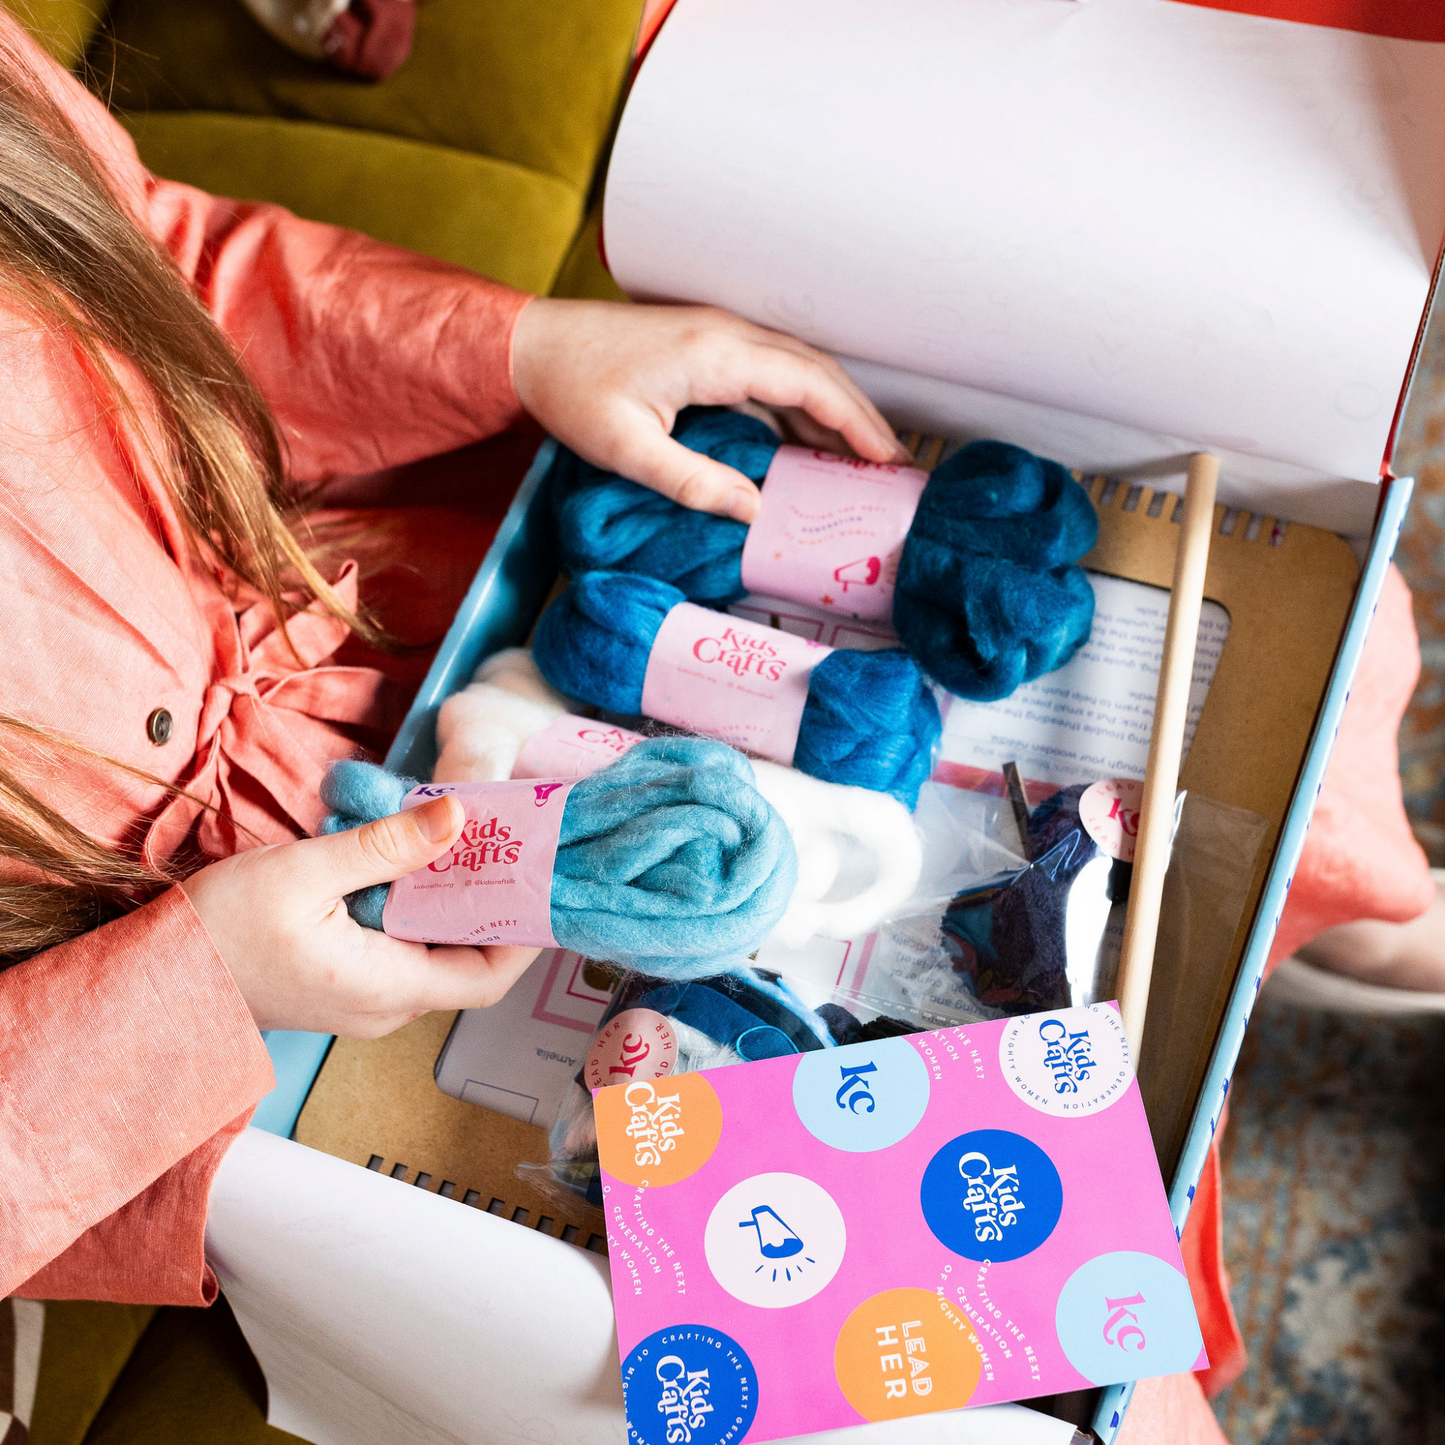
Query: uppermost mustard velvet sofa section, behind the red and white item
x,y
530,82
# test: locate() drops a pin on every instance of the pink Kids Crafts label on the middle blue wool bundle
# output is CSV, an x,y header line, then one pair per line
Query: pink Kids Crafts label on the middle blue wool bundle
x,y
732,680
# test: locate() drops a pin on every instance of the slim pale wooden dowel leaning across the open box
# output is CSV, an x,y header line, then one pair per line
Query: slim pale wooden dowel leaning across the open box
x,y
1165,748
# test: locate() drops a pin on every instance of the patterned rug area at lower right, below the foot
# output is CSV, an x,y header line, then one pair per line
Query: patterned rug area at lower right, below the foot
x,y
1336,1230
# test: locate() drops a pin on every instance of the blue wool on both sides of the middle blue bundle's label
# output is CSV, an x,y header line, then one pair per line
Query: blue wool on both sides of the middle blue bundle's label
x,y
871,717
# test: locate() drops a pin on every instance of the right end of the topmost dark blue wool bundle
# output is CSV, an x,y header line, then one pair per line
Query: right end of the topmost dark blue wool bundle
x,y
988,595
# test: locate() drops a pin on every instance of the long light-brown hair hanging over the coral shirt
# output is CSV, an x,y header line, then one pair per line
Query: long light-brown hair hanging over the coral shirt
x,y
76,261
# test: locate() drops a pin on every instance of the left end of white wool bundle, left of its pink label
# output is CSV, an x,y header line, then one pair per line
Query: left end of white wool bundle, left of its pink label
x,y
482,729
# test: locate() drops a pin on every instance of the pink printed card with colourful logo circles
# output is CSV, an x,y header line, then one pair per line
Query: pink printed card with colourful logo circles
x,y
887,1230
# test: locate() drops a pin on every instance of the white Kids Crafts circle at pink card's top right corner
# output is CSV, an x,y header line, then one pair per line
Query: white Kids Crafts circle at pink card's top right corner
x,y
1069,1063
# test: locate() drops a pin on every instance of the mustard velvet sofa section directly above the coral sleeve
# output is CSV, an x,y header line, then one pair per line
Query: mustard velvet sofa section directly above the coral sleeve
x,y
498,219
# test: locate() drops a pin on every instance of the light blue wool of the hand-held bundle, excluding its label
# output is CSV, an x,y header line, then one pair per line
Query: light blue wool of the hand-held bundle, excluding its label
x,y
670,860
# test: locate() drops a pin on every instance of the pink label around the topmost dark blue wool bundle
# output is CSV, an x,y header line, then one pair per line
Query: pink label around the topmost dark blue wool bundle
x,y
832,532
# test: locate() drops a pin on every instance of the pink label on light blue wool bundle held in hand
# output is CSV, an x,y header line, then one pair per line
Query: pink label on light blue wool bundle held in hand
x,y
495,887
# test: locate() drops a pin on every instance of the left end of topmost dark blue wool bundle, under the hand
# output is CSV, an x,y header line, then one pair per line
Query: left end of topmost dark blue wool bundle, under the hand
x,y
608,524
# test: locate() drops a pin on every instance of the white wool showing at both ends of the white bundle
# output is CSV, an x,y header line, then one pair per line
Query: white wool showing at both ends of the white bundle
x,y
482,730
